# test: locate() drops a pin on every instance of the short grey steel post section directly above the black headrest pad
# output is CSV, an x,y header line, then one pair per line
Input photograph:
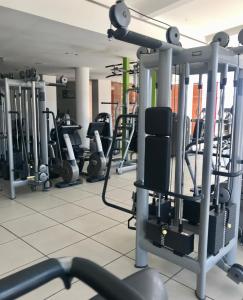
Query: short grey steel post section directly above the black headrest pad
x,y
164,78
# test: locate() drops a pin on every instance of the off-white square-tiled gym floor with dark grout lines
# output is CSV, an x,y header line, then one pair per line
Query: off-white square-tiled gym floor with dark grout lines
x,y
75,222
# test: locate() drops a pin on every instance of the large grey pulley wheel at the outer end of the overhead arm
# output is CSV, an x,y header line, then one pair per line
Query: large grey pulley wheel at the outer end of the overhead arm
x,y
120,16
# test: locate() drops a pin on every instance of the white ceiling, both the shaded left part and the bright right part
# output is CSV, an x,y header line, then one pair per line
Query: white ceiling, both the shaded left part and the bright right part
x,y
56,48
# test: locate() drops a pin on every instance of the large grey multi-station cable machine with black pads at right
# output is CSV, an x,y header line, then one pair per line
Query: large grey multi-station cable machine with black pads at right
x,y
160,204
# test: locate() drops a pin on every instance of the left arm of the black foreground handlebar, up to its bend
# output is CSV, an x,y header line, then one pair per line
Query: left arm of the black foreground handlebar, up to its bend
x,y
22,282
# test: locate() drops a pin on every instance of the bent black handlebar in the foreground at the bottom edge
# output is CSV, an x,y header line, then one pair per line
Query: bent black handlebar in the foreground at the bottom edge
x,y
103,282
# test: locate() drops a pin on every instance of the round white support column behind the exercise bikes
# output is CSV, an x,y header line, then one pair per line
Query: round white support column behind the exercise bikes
x,y
82,102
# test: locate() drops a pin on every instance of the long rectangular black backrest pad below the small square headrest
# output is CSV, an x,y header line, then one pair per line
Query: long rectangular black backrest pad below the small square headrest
x,y
157,163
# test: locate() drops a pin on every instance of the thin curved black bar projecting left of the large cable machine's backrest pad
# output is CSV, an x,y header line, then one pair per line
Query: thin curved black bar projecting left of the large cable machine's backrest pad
x,y
107,175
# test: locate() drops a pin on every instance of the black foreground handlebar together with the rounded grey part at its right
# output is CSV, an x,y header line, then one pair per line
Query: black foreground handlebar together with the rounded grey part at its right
x,y
143,285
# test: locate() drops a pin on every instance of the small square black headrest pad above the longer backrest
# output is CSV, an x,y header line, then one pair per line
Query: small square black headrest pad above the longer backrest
x,y
158,121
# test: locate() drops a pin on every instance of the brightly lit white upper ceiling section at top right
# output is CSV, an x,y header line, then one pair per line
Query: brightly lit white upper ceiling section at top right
x,y
196,18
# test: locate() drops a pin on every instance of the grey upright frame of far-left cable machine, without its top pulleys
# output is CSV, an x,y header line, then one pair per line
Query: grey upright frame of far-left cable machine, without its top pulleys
x,y
23,143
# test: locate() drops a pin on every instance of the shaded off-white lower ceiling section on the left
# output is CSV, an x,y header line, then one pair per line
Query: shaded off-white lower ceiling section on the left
x,y
52,47
